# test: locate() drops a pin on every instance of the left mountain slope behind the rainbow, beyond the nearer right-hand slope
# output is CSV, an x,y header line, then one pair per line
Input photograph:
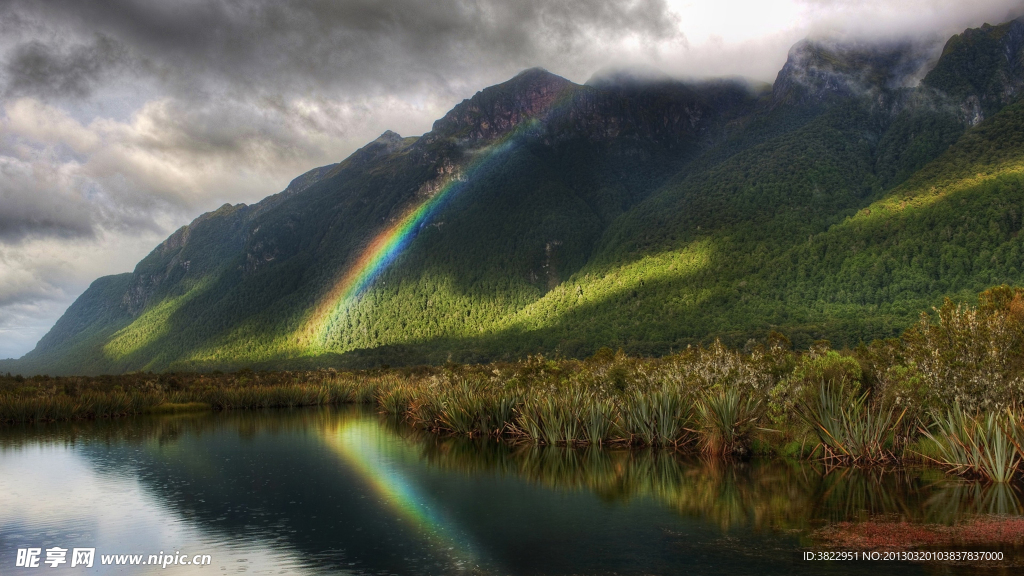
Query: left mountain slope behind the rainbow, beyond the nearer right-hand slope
x,y
552,163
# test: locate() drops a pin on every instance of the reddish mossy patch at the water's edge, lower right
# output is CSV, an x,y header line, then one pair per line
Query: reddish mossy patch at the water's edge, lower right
x,y
882,536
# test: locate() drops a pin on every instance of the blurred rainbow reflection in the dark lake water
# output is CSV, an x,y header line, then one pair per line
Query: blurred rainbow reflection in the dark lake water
x,y
376,456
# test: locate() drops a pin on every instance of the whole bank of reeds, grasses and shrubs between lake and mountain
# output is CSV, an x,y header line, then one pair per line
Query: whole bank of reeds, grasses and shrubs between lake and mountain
x,y
949,392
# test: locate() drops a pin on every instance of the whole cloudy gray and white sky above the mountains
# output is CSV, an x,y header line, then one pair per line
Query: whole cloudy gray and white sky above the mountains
x,y
122,120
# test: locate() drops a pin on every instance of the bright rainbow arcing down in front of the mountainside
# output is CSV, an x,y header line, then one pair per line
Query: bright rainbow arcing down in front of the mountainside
x,y
391,243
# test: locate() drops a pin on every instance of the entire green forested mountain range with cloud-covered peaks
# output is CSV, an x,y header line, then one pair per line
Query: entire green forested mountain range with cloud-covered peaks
x,y
641,213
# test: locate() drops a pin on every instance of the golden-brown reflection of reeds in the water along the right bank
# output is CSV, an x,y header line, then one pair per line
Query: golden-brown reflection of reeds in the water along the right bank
x,y
779,495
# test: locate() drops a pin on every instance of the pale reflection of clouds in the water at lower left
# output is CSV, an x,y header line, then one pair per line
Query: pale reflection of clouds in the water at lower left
x,y
52,497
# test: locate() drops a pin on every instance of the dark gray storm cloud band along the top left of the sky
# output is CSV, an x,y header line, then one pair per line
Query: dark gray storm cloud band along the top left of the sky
x,y
293,48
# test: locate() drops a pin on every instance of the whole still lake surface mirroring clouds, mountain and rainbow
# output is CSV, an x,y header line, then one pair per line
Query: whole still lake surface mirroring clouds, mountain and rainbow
x,y
346,491
